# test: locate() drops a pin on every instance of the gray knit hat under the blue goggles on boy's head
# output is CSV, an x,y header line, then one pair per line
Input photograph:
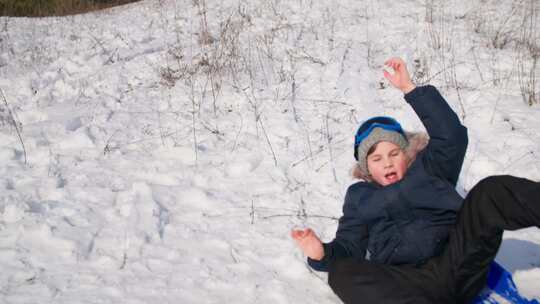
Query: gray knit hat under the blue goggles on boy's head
x,y
378,135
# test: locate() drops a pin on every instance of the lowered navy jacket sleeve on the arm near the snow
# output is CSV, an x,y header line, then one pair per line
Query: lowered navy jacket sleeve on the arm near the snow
x,y
351,237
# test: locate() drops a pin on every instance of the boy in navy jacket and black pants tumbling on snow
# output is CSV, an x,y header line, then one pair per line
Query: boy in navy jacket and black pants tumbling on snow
x,y
426,244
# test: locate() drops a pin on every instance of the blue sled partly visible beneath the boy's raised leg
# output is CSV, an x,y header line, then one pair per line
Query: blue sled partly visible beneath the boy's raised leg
x,y
501,286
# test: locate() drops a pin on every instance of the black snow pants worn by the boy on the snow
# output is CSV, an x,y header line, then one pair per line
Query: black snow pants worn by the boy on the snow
x,y
495,204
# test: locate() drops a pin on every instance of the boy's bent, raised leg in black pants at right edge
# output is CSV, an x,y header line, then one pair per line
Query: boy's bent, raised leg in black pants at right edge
x,y
495,204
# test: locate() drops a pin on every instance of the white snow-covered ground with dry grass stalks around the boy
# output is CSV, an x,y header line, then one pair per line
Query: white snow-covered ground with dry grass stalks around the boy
x,y
170,146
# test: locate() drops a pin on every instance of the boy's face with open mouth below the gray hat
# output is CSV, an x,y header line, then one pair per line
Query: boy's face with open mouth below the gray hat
x,y
387,164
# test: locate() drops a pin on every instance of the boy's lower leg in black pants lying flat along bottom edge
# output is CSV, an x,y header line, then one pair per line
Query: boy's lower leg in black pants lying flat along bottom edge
x,y
365,282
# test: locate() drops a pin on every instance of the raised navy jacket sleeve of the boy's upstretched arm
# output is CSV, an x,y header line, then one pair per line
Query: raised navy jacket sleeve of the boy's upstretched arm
x,y
443,156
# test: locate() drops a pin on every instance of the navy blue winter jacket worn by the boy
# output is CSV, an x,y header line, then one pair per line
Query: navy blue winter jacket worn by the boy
x,y
406,222
